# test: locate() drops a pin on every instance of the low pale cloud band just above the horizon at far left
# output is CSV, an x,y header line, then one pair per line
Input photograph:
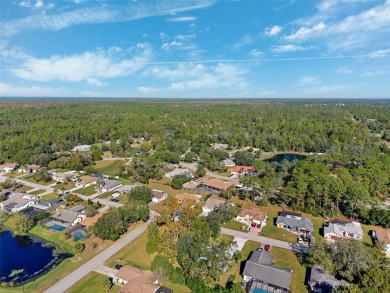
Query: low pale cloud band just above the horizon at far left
x,y
7,90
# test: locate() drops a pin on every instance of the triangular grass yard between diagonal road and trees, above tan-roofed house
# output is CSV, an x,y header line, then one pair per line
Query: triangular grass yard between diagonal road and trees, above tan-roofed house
x,y
133,254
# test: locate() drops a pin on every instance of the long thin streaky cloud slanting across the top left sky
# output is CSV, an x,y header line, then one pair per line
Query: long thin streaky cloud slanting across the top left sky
x,y
108,13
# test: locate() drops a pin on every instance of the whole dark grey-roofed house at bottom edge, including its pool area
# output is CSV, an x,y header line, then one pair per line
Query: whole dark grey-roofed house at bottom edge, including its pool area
x,y
259,272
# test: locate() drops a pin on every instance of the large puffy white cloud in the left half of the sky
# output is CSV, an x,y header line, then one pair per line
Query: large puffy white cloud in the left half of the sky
x,y
88,66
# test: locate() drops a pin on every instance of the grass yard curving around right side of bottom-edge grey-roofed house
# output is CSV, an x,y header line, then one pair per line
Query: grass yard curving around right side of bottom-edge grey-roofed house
x,y
287,259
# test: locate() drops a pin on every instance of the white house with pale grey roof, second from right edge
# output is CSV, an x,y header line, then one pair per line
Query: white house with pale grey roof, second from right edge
x,y
340,229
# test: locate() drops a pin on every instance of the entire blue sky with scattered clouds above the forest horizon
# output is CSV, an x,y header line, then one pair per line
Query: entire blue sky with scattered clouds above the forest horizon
x,y
195,48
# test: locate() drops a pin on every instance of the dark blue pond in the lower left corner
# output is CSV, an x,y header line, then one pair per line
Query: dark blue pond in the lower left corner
x,y
24,258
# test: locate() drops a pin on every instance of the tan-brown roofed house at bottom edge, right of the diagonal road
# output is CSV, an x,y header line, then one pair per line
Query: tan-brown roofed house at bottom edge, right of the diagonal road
x,y
135,280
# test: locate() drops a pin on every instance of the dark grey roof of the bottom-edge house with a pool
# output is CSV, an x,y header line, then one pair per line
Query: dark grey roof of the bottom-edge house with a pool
x,y
259,267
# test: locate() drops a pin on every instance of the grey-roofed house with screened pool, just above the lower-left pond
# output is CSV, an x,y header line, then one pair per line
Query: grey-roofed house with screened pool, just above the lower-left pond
x,y
65,218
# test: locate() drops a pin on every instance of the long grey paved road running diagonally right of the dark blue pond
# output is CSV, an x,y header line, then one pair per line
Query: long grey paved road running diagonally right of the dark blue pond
x,y
95,262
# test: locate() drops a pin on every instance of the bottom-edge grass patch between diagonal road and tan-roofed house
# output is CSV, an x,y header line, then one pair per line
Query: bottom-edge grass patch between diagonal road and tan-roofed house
x,y
92,280
